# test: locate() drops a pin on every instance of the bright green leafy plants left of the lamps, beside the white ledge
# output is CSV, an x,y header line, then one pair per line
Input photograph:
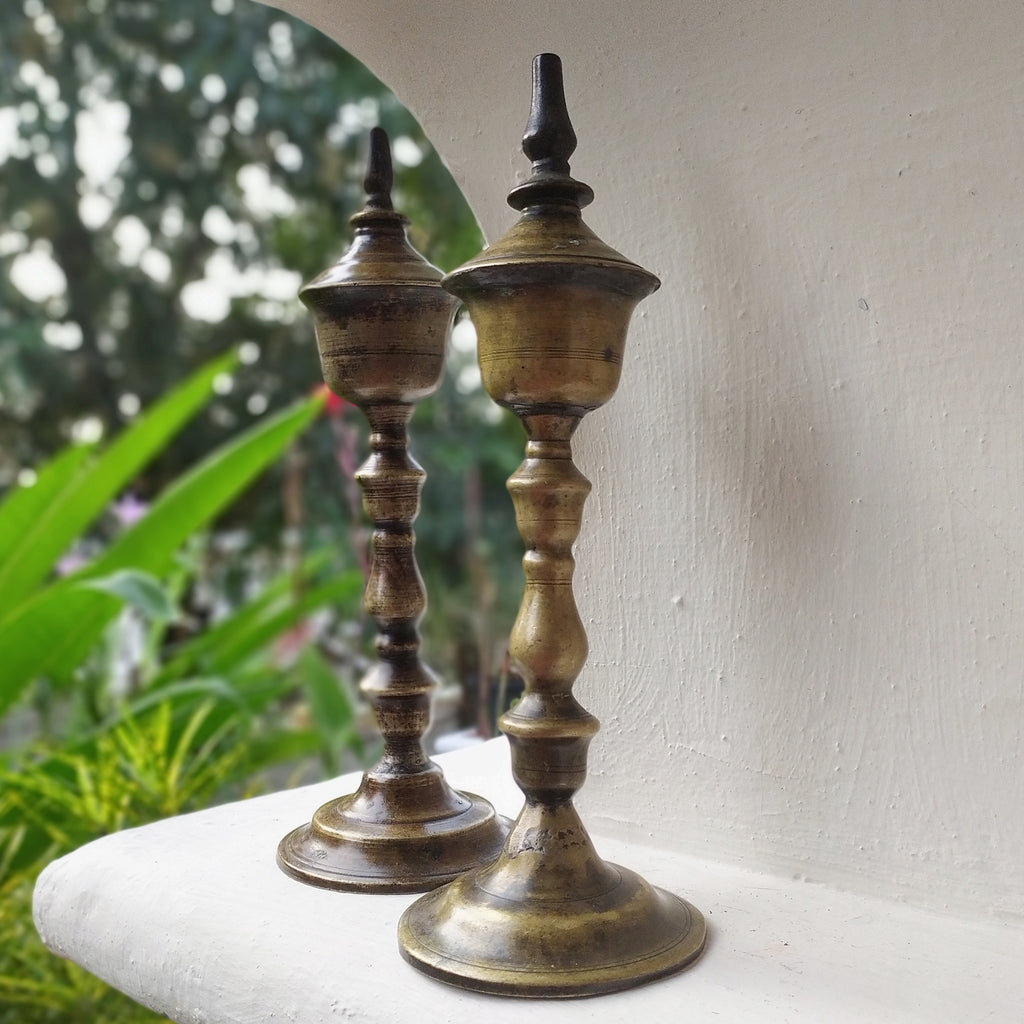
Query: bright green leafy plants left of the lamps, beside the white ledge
x,y
146,706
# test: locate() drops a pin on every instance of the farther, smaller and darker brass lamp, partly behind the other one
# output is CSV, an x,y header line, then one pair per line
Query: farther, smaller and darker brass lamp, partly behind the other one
x,y
382,325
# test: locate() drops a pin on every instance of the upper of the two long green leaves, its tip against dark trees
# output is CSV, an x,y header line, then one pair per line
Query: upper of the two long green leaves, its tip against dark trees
x,y
86,495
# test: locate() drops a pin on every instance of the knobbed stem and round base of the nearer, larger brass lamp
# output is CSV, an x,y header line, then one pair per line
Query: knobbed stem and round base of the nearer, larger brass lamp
x,y
549,918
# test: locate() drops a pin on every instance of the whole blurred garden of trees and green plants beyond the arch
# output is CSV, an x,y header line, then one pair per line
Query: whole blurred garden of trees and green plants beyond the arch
x,y
182,544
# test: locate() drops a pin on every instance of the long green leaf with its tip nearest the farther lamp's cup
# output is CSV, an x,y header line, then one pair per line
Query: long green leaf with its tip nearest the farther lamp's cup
x,y
53,632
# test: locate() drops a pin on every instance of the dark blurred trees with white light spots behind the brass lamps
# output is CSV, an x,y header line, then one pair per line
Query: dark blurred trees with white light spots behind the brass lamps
x,y
174,173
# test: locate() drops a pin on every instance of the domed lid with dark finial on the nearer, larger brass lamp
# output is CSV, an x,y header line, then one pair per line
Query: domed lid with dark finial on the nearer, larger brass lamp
x,y
550,242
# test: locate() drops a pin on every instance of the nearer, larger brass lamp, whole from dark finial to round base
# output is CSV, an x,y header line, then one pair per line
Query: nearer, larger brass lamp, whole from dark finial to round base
x,y
551,304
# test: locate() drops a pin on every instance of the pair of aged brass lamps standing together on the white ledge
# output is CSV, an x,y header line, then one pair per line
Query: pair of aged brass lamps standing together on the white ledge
x,y
527,909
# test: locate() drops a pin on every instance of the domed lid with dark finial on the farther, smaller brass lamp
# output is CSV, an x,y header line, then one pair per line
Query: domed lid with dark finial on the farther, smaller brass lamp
x,y
380,255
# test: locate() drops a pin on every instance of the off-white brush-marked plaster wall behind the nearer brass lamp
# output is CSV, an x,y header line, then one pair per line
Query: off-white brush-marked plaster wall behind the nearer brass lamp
x,y
802,563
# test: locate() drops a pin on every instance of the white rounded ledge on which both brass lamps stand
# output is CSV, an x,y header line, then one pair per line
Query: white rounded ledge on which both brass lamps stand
x,y
192,917
